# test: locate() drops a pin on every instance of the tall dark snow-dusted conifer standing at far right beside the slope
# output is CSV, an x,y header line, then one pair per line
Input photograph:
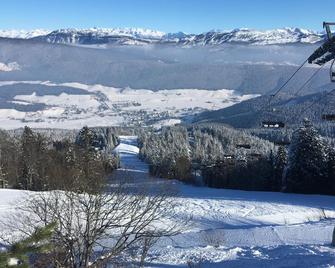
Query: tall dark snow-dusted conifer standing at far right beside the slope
x,y
306,170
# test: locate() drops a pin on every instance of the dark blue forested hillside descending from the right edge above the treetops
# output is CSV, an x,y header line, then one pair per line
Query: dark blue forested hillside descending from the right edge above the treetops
x,y
291,110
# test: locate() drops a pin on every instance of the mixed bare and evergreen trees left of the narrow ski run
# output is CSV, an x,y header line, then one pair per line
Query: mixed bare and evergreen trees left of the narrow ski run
x,y
35,162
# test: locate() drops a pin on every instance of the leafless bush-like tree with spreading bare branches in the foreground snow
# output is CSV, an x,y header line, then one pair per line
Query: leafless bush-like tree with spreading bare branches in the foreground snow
x,y
97,228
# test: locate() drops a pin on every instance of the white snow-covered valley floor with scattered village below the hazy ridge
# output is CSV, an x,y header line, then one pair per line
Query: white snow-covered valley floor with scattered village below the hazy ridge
x,y
99,105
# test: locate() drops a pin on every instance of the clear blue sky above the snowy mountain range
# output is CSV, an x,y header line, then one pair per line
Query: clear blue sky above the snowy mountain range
x,y
192,16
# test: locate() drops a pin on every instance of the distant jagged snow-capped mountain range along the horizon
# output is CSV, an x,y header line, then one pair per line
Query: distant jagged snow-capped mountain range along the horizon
x,y
138,36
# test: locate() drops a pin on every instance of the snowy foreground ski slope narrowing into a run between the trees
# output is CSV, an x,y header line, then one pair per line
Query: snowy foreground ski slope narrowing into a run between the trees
x,y
232,228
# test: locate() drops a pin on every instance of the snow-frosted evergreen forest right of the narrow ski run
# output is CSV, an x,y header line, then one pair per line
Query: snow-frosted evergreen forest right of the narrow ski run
x,y
237,159
